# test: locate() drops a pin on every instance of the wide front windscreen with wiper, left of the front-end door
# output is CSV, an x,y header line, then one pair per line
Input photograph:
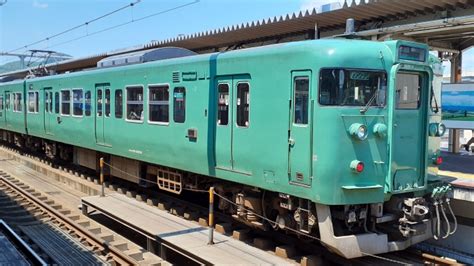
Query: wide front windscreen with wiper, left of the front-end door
x,y
344,87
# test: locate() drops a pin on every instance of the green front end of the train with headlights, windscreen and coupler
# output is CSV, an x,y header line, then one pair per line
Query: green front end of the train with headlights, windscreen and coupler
x,y
386,202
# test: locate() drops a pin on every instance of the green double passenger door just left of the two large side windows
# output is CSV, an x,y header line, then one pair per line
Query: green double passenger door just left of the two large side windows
x,y
101,112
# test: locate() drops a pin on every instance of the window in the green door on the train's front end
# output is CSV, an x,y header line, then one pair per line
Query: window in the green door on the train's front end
x,y
408,91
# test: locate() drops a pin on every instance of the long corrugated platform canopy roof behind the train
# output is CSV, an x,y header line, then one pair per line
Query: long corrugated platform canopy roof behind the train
x,y
446,25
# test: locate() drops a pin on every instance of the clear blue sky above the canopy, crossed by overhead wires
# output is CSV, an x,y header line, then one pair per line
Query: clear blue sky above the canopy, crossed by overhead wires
x,y
26,21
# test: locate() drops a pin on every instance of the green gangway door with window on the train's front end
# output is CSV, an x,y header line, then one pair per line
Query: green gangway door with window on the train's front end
x,y
408,130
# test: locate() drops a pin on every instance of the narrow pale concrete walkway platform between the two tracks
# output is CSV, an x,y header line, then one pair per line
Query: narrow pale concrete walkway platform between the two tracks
x,y
179,233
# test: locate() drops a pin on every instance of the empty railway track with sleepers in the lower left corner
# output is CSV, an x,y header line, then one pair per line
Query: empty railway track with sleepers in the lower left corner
x,y
47,224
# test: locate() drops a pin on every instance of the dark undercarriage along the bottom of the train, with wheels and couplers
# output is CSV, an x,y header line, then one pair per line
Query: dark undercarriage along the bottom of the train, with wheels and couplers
x,y
349,230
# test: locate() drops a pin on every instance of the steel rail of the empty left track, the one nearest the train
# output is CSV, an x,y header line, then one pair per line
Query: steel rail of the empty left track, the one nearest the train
x,y
116,254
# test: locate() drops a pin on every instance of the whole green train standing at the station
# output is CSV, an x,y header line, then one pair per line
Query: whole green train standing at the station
x,y
323,137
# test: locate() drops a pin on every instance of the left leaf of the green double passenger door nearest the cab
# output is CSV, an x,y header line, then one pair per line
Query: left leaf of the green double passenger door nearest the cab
x,y
223,137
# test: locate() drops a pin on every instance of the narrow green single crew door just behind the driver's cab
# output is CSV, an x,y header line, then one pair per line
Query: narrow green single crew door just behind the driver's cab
x,y
300,129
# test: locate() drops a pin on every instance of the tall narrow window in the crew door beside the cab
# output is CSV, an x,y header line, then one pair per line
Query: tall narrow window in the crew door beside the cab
x,y
301,100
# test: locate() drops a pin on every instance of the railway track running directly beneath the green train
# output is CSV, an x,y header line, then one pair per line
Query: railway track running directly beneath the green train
x,y
297,250
